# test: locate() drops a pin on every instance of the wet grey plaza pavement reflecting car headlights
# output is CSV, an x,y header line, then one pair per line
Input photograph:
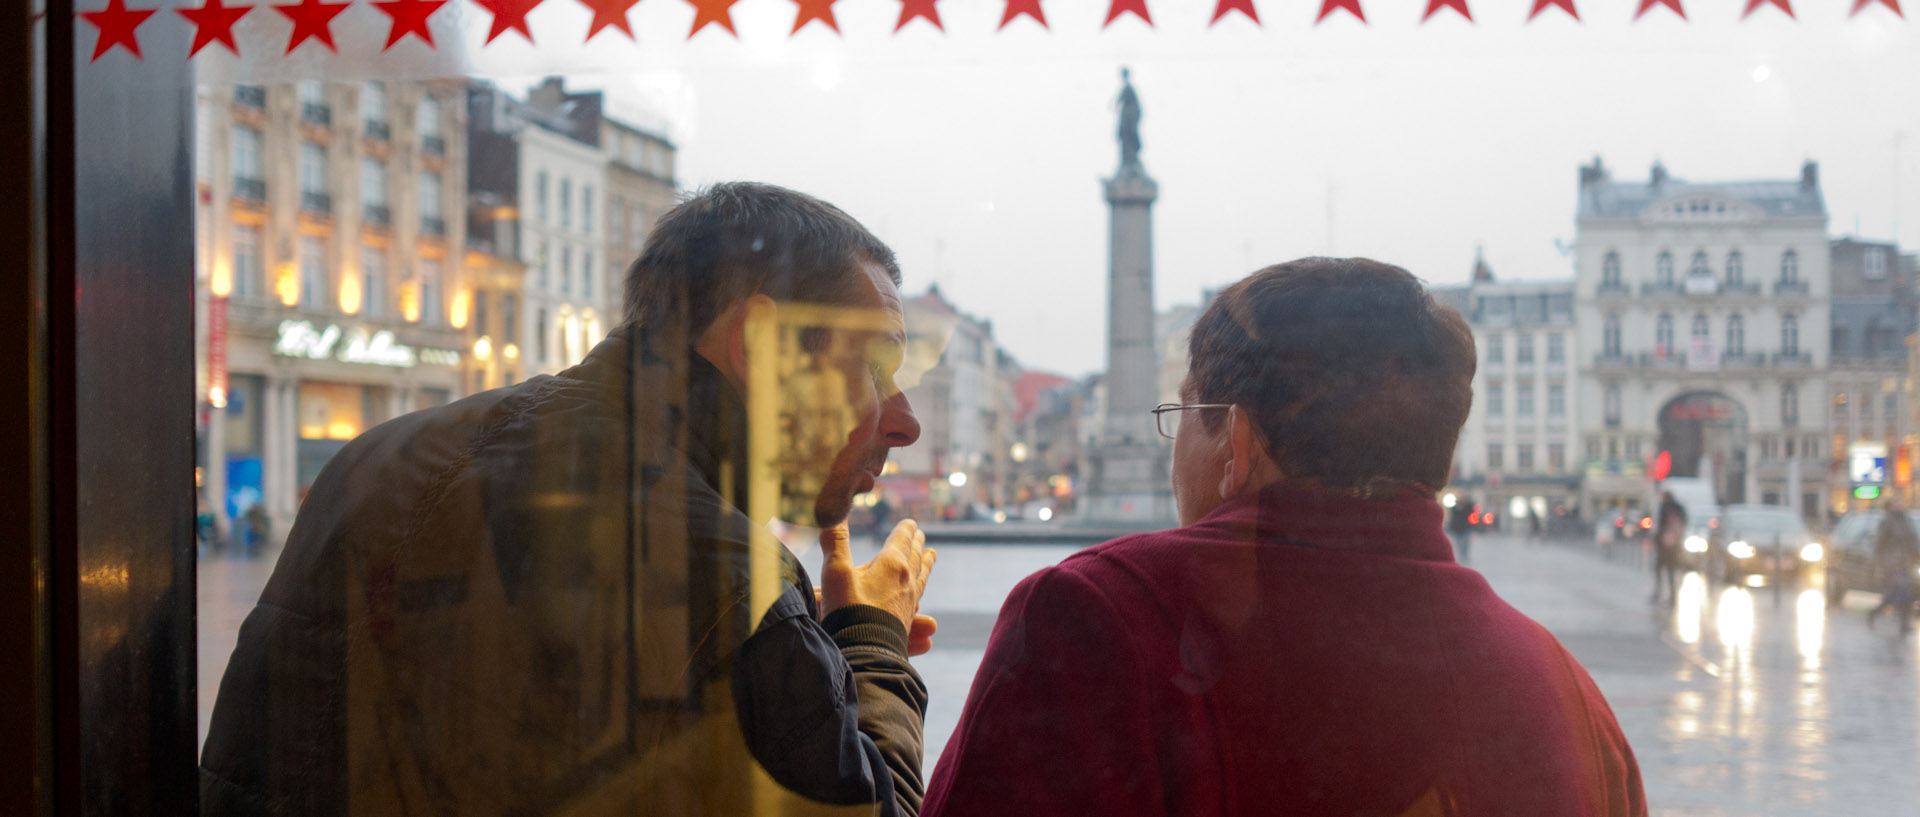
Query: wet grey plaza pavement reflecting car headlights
x,y
1737,701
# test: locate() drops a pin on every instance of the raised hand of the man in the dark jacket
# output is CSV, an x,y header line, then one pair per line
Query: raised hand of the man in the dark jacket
x,y
892,582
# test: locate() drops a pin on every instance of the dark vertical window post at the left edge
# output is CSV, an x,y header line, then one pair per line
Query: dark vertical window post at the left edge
x,y
120,218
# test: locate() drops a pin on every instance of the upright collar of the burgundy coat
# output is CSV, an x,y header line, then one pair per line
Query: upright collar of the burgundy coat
x,y
1406,526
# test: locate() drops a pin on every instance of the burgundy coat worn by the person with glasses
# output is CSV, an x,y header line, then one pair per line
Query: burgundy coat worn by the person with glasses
x,y
1289,655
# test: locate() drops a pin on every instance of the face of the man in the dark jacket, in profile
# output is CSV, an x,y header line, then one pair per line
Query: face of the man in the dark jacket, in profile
x,y
844,408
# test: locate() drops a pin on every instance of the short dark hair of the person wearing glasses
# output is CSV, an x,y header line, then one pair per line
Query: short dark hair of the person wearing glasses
x,y
1349,369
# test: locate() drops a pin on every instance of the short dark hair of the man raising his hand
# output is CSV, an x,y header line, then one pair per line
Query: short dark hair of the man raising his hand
x,y
740,239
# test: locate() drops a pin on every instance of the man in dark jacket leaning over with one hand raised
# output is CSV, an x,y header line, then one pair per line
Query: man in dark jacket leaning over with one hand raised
x,y
562,597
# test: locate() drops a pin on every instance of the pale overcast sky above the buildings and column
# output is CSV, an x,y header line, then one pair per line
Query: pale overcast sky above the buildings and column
x,y
978,152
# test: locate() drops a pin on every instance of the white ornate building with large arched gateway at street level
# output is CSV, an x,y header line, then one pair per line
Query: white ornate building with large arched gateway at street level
x,y
1702,312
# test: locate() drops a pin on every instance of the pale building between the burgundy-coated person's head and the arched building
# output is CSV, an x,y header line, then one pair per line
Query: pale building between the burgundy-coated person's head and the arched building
x,y
1518,454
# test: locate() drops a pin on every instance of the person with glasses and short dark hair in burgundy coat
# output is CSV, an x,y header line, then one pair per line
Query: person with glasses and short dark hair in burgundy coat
x,y
1305,643
